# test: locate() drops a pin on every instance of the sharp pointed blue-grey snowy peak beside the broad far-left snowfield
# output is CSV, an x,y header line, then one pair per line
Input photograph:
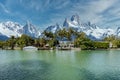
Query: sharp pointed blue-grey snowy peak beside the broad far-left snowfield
x,y
31,30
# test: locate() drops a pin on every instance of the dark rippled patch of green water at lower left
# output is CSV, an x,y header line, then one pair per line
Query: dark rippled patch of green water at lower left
x,y
25,70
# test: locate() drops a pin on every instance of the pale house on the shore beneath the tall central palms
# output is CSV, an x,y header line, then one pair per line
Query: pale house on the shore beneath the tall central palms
x,y
65,45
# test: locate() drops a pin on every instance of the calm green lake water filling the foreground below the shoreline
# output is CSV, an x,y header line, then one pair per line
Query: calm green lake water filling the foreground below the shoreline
x,y
59,65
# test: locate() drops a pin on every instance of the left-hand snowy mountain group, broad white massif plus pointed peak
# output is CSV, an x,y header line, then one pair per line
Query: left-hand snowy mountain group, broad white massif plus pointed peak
x,y
9,28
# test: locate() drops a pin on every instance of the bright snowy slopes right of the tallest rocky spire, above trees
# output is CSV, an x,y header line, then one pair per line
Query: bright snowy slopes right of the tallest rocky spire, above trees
x,y
94,32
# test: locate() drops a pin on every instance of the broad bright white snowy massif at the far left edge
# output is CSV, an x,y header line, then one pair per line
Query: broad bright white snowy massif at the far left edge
x,y
10,28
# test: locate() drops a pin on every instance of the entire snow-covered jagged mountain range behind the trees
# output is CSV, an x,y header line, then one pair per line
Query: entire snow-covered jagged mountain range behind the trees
x,y
94,32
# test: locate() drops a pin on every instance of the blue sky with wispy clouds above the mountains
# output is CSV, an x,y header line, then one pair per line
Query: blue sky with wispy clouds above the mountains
x,y
42,13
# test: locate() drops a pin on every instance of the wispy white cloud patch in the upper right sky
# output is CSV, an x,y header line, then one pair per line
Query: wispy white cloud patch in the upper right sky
x,y
95,9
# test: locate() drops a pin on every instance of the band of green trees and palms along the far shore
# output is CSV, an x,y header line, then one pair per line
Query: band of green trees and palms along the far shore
x,y
65,39
